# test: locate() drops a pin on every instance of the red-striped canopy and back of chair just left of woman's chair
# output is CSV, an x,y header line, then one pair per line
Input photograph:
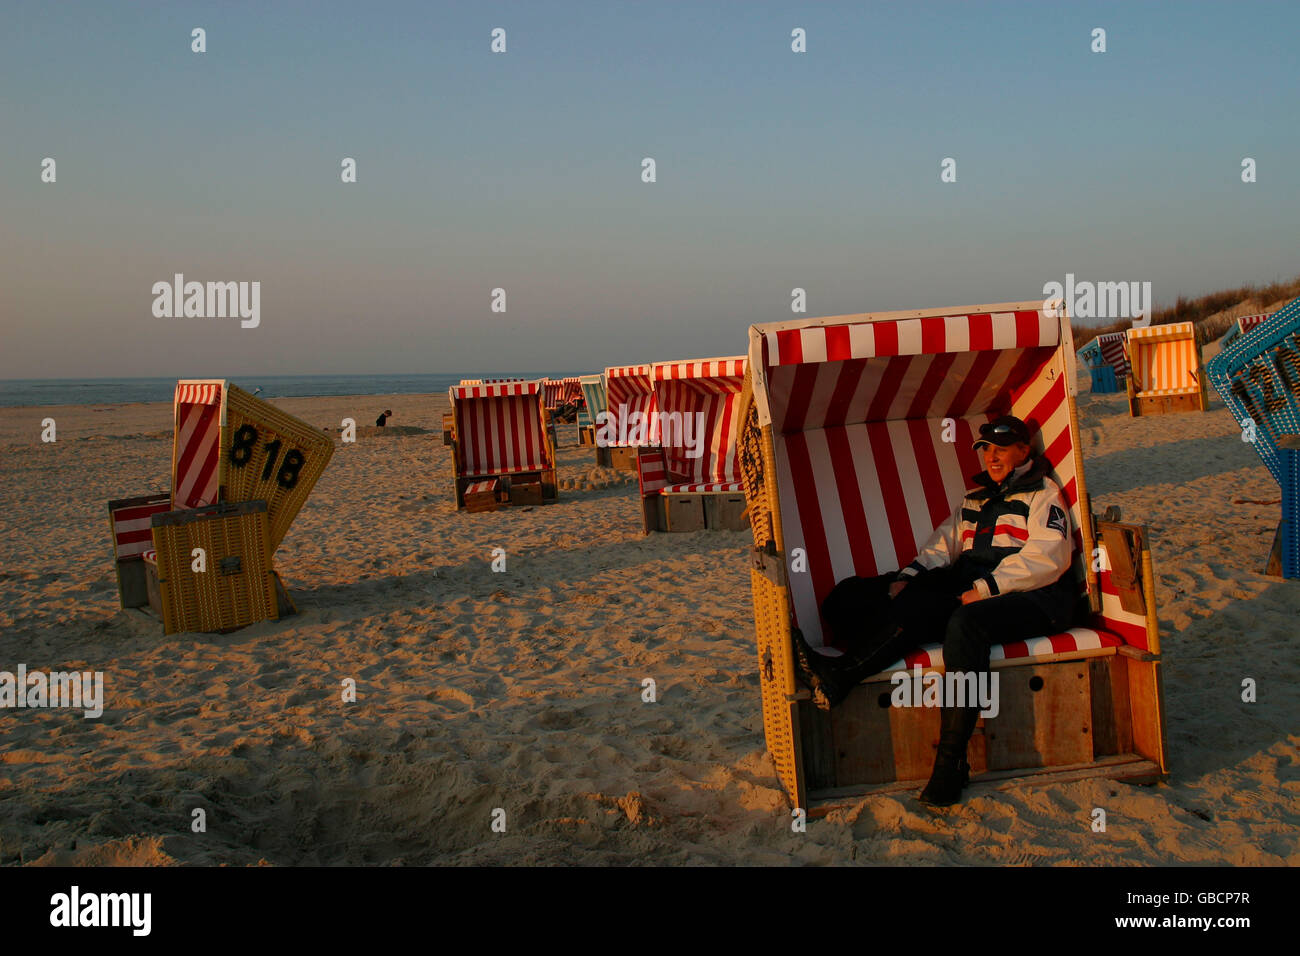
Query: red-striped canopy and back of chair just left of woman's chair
x,y
705,392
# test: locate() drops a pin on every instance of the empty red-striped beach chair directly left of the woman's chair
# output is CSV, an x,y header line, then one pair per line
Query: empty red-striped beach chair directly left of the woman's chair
x,y
694,481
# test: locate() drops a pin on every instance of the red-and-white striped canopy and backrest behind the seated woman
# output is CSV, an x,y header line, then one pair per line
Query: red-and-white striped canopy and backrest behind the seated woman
x,y
874,417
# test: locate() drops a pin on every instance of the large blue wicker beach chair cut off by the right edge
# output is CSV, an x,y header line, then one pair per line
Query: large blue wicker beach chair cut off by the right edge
x,y
1259,378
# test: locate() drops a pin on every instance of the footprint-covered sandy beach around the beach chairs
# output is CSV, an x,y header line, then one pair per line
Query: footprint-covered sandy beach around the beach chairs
x,y
523,690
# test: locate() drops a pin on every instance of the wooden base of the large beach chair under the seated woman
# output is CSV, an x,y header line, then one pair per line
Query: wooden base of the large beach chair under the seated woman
x,y
1087,717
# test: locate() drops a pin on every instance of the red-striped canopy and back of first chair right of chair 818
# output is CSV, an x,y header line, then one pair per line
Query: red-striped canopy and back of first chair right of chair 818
x,y
500,429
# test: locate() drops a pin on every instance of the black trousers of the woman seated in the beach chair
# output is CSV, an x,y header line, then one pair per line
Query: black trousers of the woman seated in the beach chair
x,y
877,631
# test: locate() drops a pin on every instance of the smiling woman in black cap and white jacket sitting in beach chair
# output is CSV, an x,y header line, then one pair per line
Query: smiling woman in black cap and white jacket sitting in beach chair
x,y
996,572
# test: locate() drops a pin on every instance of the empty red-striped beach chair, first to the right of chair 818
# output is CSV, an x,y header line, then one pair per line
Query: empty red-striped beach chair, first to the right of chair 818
x,y
501,432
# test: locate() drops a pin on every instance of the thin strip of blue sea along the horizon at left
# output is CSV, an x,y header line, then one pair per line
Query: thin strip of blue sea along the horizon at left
x,y
15,392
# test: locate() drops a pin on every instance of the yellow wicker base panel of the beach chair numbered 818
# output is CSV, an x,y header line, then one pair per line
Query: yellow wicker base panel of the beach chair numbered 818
x,y
222,598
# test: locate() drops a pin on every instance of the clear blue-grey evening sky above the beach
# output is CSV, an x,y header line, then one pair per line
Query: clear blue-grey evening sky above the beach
x,y
523,171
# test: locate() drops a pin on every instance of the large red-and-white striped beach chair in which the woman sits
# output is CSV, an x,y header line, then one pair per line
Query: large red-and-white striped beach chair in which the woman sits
x,y
856,445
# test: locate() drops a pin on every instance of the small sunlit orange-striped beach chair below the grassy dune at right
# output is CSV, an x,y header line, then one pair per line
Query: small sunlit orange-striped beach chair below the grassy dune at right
x,y
1167,374
